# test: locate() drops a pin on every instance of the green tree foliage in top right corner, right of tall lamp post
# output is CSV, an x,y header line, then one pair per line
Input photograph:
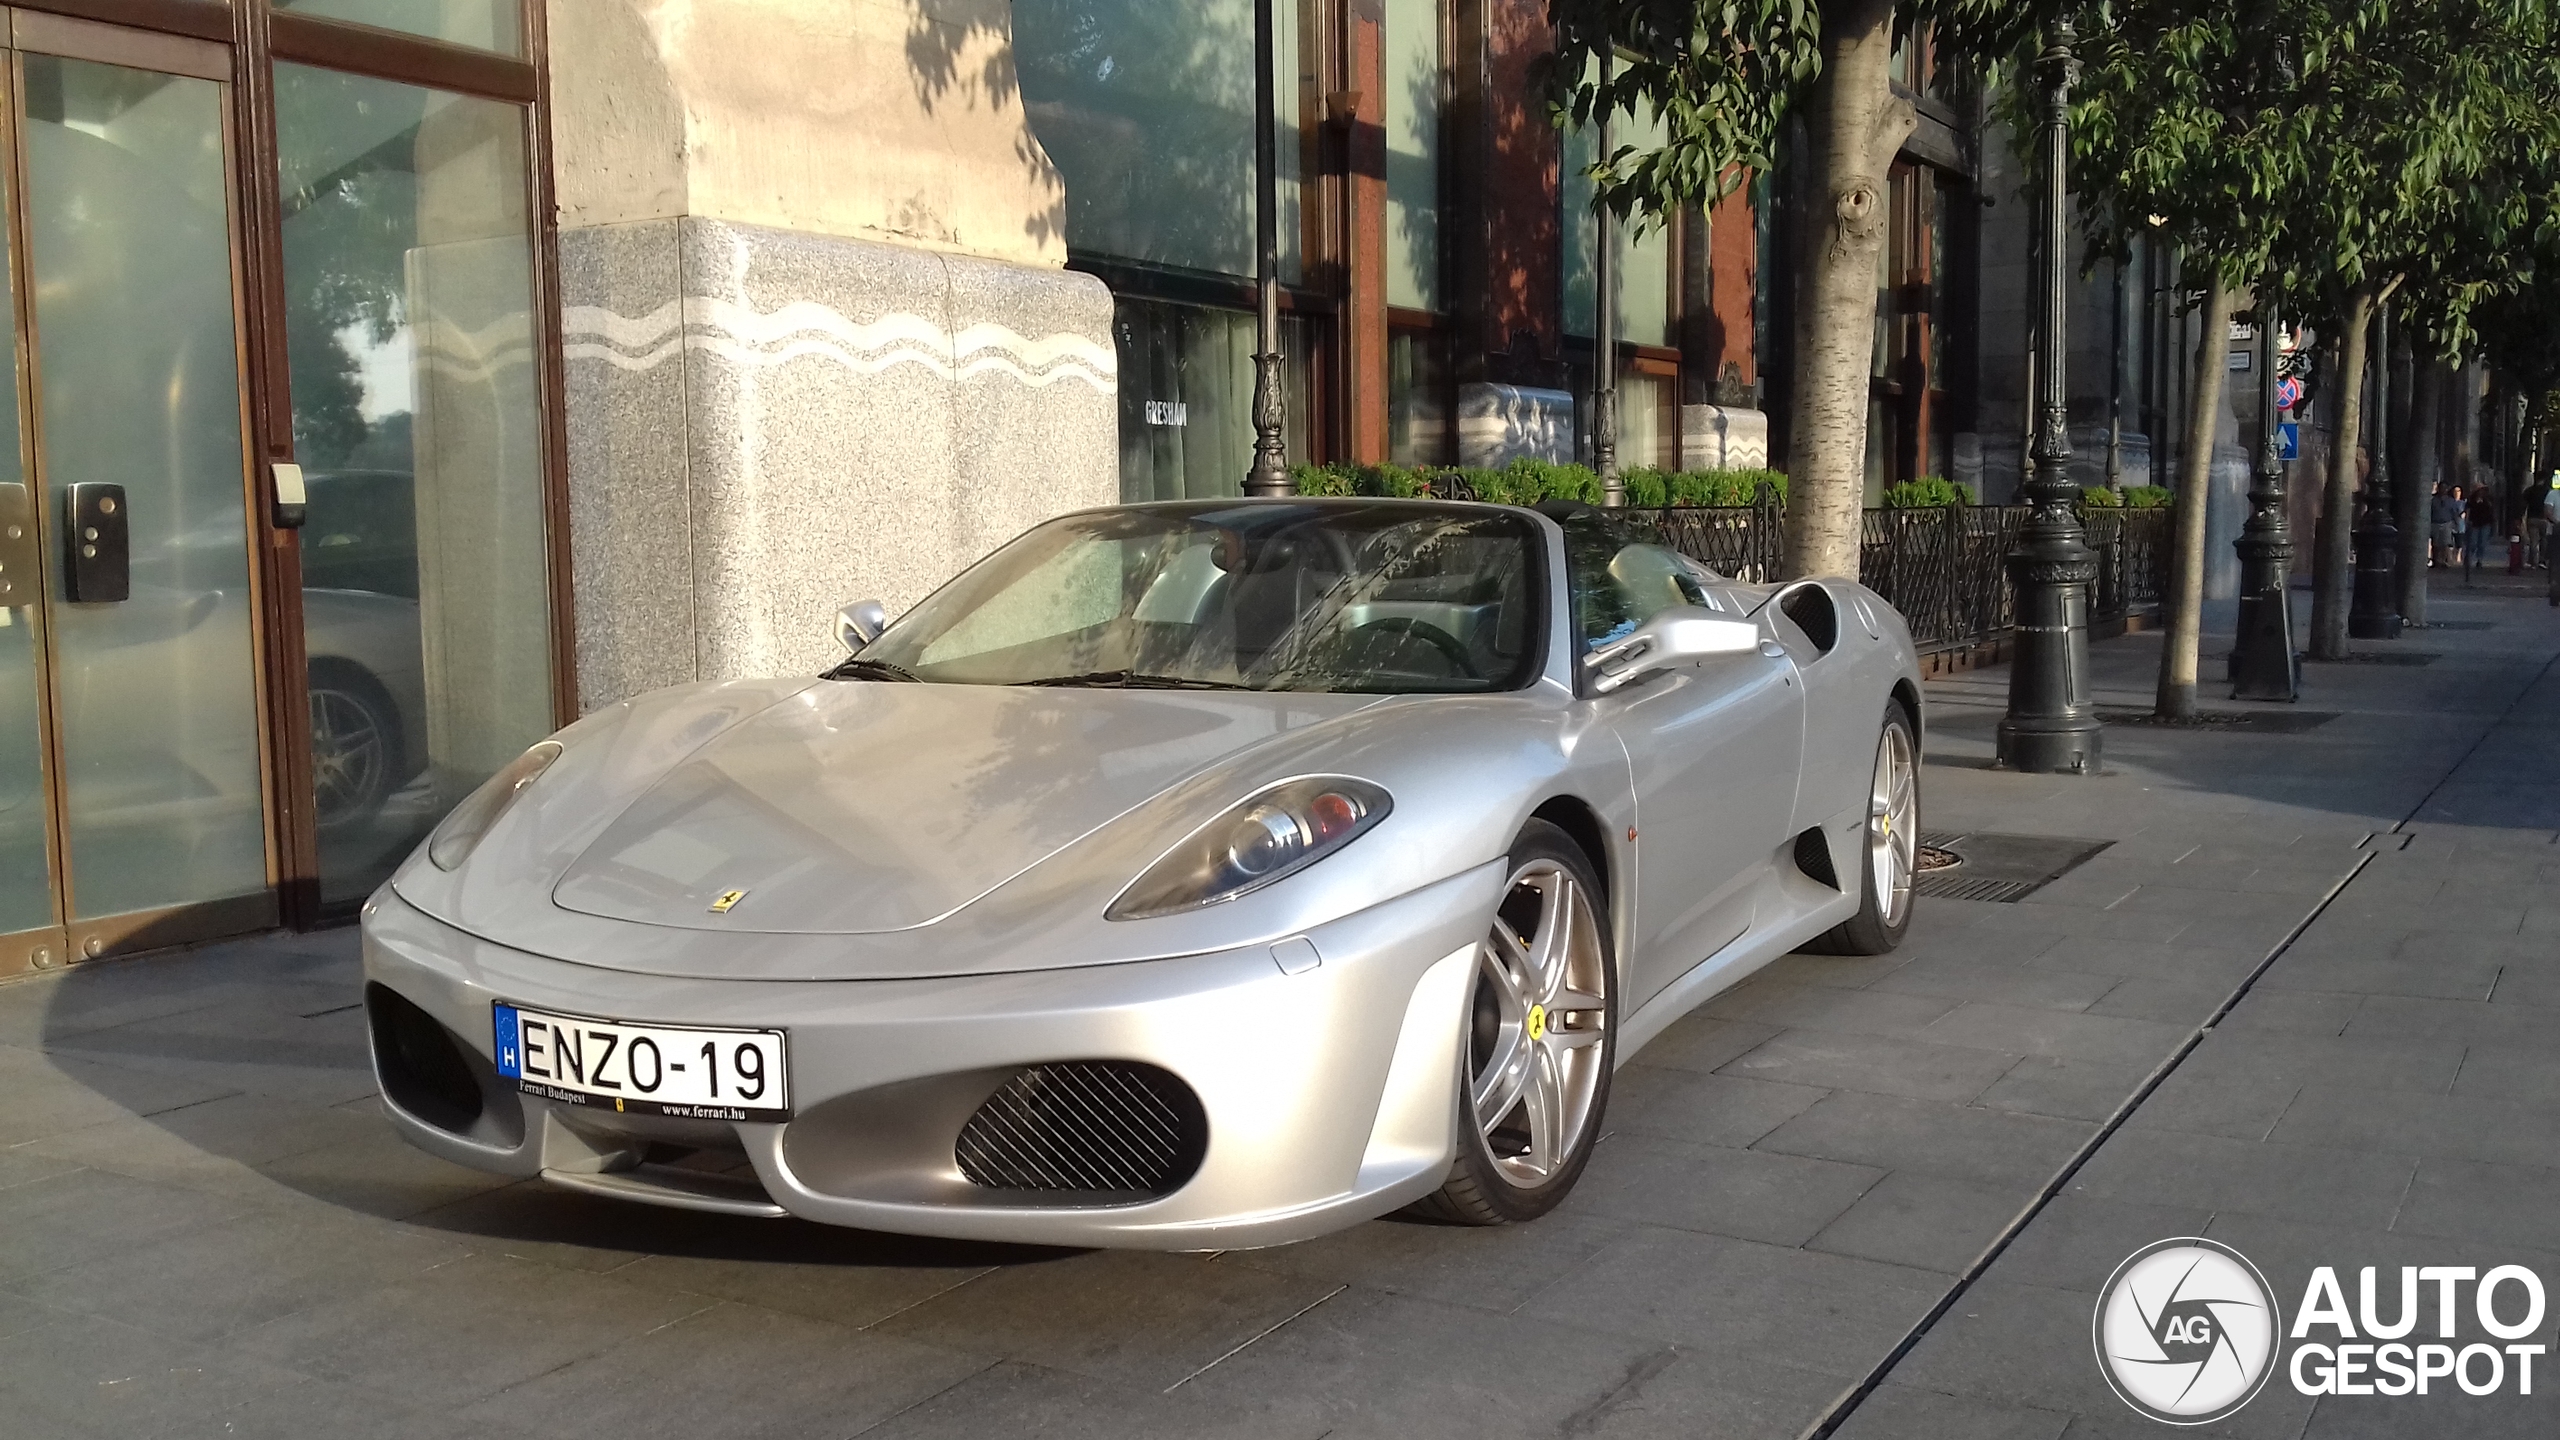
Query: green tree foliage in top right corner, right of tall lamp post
x,y
2323,152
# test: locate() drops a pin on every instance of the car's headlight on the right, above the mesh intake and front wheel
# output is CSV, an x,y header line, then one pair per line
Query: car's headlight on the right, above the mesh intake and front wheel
x,y
1271,837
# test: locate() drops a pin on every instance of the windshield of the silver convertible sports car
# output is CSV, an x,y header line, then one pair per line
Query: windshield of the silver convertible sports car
x,y
1240,596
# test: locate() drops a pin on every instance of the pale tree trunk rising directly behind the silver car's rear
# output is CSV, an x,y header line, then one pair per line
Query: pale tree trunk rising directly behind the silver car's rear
x,y
1855,124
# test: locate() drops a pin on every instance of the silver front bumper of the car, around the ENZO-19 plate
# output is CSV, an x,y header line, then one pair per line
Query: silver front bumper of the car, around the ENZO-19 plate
x,y
1330,1095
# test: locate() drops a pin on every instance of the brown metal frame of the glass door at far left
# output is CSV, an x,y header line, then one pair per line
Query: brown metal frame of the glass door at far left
x,y
68,942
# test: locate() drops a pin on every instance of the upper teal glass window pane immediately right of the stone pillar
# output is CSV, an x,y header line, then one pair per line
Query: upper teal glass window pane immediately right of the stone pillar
x,y
1148,111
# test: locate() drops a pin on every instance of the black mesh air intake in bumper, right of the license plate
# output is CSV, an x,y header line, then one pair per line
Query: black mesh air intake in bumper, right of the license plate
x,y
1087,1126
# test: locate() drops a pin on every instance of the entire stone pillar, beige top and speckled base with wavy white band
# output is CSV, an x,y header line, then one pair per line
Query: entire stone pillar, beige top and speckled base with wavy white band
x,y
818,327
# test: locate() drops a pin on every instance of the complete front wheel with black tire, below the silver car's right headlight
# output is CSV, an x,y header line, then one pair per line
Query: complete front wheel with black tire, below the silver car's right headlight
x,y
1550,1080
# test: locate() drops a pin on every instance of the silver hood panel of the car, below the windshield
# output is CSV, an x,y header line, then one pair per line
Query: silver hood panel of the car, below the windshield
x,y
864,808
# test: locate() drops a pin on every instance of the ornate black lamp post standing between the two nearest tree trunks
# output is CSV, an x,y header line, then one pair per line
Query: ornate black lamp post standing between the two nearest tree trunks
x,y
2052,724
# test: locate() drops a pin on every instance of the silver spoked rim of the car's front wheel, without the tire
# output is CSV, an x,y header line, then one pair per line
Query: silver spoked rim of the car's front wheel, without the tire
x,y
1540,1016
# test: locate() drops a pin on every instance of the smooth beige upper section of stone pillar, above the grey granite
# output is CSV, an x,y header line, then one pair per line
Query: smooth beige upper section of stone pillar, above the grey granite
x,y
869,119
